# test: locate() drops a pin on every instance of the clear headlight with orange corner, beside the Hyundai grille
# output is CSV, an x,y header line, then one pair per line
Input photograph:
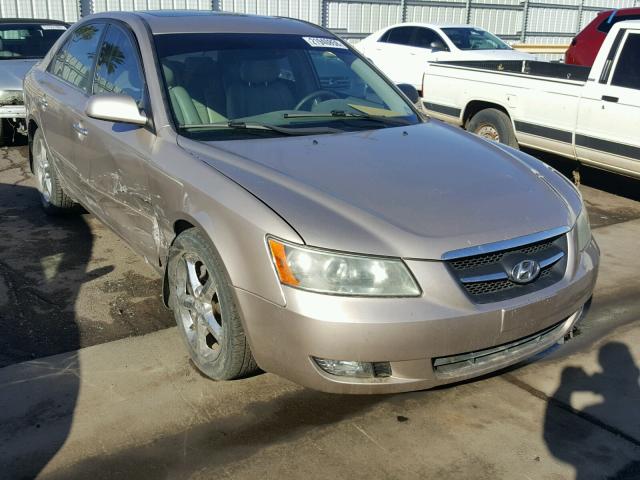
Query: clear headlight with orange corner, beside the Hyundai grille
x,y
341,274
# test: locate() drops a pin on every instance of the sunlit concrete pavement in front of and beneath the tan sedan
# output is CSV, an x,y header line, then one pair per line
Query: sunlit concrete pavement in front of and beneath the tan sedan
x,y
136,408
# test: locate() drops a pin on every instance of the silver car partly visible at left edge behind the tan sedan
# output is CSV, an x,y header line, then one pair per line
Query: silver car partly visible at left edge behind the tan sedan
x,y
23,42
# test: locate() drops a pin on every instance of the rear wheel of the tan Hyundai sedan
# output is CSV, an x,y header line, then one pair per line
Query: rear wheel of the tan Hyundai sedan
x,y
53,198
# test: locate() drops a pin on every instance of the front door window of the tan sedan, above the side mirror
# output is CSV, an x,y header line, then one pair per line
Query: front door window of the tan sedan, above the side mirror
x,y
118,68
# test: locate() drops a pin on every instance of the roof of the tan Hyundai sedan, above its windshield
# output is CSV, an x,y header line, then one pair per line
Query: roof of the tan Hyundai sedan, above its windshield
x,y
203,21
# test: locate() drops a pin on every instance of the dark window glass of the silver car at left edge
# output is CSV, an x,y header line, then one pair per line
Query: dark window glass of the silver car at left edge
x,y
28,40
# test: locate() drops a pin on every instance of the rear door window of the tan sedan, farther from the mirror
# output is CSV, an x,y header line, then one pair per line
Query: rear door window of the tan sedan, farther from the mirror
x,y
74,61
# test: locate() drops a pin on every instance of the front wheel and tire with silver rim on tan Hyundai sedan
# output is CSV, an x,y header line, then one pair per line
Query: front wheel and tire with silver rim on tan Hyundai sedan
x,y
205,309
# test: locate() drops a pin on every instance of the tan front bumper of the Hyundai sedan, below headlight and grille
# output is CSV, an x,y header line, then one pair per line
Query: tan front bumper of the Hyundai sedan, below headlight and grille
x,y
422,338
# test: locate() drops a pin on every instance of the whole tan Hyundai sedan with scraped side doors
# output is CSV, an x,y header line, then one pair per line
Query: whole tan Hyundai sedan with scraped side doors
x,y
306,220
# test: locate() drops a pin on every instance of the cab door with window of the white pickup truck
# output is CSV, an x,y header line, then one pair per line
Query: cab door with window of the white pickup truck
x,y
609,112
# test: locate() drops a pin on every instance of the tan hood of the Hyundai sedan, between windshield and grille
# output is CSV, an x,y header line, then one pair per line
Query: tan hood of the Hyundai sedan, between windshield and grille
x,y
413,192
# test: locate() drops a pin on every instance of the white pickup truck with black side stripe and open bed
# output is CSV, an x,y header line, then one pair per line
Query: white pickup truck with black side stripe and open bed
x,y
591,115
